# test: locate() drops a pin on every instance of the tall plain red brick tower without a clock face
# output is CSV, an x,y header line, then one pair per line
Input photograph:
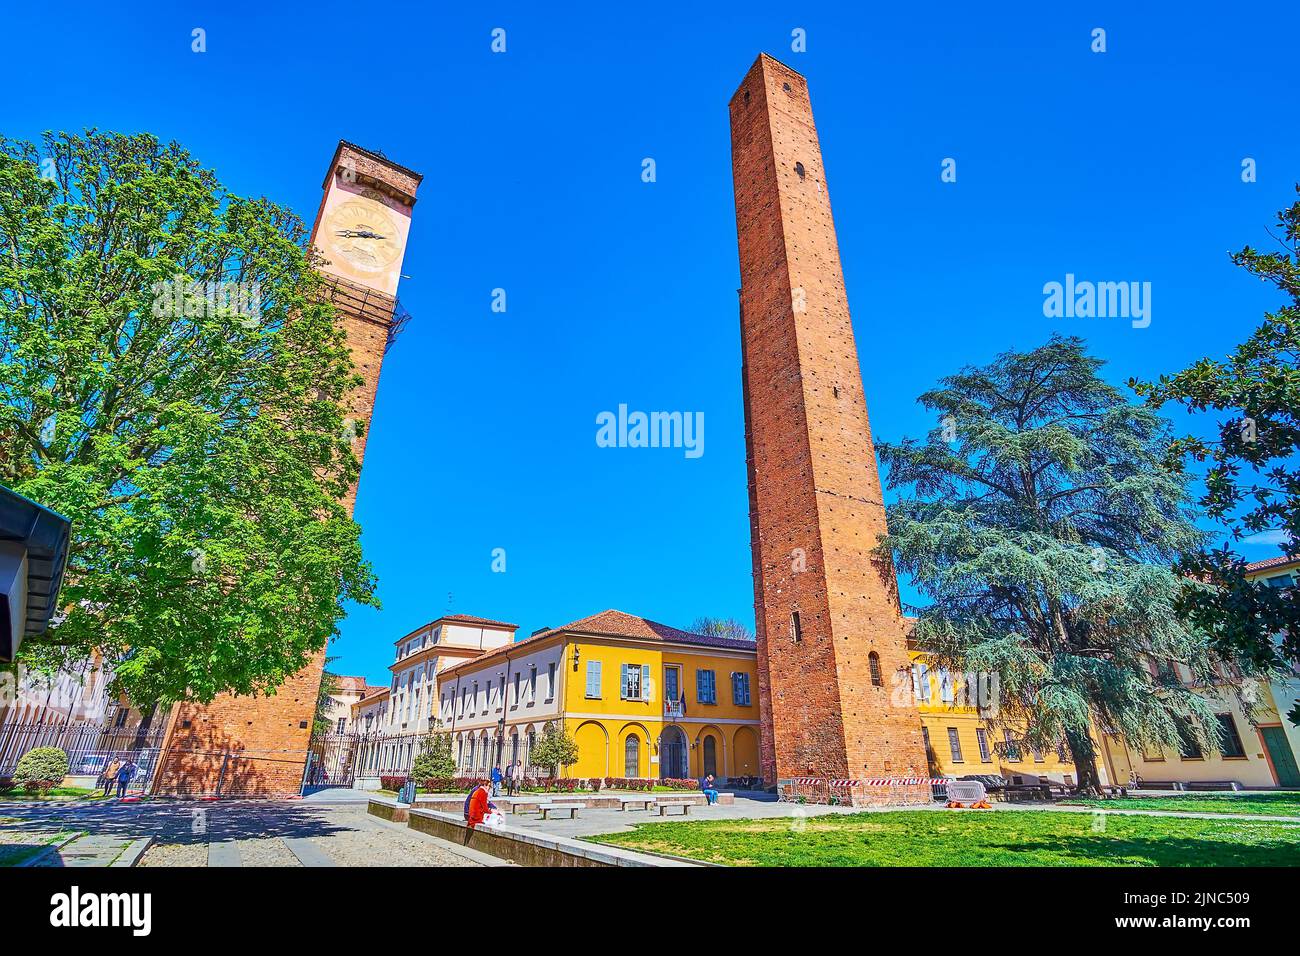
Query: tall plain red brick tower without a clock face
x,y
831,641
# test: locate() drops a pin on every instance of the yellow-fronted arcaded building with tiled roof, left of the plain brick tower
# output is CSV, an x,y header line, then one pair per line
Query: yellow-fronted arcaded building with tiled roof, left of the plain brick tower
x,y
640,699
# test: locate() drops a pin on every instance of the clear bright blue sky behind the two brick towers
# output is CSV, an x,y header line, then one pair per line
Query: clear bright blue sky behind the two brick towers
x,y
1124,166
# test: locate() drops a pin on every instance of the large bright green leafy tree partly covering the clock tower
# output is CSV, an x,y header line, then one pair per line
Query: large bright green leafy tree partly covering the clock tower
x,y
194,432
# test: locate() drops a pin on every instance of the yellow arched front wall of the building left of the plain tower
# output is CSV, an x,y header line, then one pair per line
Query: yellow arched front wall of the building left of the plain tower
x,y
603,725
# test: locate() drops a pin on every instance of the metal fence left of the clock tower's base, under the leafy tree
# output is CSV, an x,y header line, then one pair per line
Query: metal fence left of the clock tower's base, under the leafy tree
x,y
90,747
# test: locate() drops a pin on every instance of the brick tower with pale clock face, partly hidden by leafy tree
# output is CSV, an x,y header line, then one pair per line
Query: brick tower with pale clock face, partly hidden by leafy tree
x,y
258,746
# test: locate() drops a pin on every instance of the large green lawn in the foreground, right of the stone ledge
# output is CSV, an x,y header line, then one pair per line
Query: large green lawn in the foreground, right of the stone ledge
x,y
973,838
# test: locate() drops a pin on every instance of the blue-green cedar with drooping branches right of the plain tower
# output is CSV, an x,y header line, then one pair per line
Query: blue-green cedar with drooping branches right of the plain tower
x,y
1041,525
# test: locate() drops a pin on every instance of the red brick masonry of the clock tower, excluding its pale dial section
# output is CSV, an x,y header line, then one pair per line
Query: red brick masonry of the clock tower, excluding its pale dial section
x,y
258,746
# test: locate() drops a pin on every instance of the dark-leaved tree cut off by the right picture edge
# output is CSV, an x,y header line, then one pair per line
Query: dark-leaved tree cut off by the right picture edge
x,y
1253,483
